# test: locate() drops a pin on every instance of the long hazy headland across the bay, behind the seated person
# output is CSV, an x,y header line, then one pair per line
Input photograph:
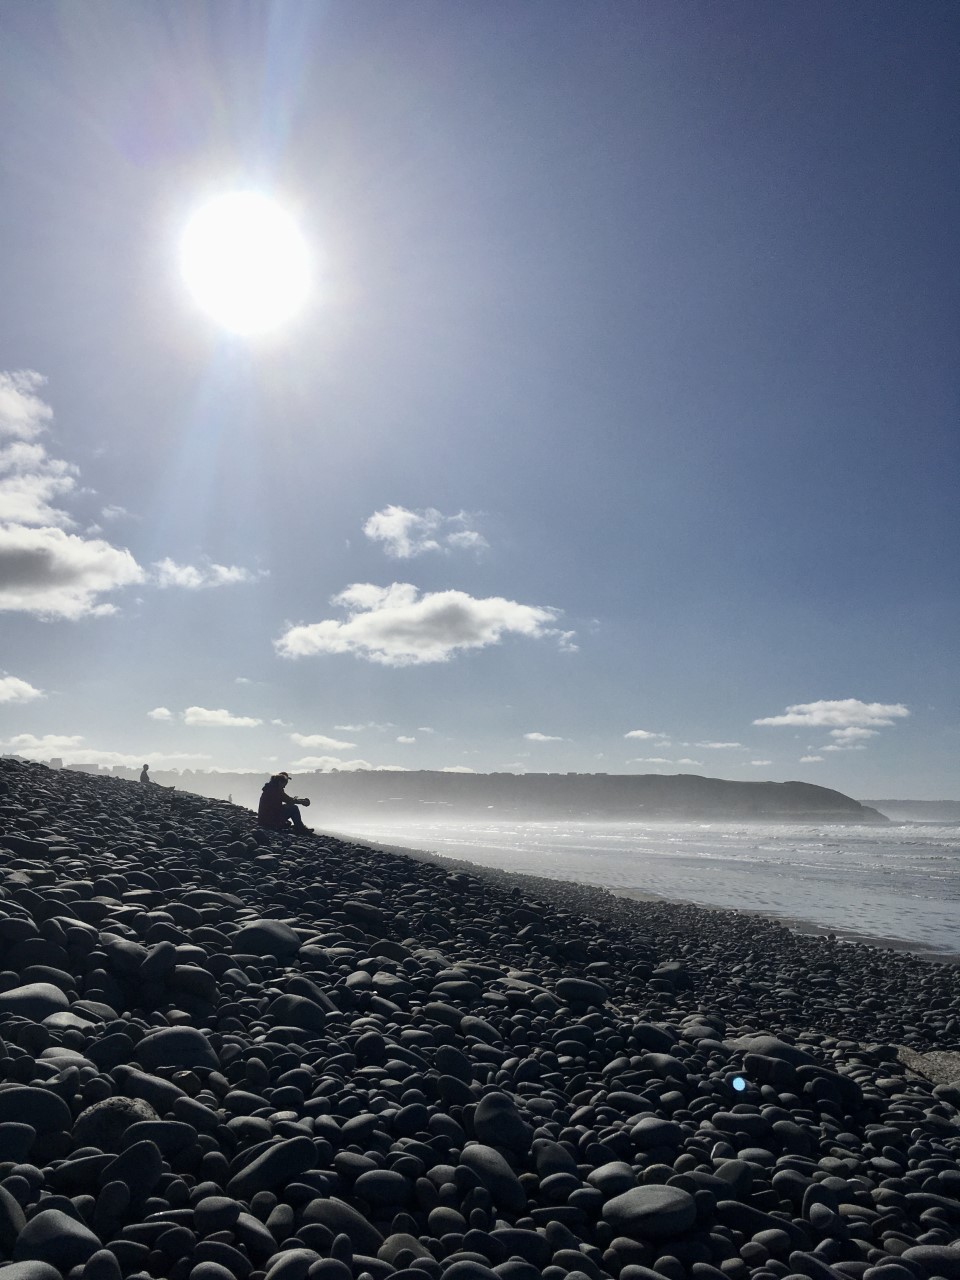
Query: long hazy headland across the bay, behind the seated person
x,y
540,797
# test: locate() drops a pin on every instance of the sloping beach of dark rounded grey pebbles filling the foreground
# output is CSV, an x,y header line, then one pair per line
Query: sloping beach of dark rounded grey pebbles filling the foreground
x,y
232,1055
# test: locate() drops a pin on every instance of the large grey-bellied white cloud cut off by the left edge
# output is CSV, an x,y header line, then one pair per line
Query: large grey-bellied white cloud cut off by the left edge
x,y
58,575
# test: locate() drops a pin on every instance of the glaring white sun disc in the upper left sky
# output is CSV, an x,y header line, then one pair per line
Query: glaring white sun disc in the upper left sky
x,y
245,262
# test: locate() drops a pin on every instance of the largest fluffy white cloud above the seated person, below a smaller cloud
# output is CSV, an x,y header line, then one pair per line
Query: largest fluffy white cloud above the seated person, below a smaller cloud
x,y
399,628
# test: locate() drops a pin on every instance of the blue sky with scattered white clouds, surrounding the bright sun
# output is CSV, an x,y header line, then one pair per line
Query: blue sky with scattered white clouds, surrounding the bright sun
x,y
624,401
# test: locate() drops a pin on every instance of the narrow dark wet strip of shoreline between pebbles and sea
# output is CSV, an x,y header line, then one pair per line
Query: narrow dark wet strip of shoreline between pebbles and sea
x,y
796,925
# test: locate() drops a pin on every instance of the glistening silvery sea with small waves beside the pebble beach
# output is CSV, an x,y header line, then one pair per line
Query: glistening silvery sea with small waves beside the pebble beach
x,y
893,884
